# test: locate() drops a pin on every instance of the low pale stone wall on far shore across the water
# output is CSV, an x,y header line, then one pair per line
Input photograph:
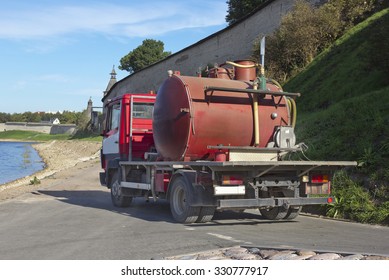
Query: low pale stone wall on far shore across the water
x,y
39,127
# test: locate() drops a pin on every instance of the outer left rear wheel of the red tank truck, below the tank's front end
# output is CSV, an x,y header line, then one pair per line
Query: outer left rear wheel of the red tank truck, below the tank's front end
x,y
182,212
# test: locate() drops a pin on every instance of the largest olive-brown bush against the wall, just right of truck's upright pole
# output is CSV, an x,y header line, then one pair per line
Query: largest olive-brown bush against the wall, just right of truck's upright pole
x,y
303,32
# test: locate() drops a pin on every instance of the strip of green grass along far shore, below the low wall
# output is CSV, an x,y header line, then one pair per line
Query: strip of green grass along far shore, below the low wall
x,y
38,136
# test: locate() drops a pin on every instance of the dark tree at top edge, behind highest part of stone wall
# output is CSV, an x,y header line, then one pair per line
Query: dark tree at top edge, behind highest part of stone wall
x,y
237,9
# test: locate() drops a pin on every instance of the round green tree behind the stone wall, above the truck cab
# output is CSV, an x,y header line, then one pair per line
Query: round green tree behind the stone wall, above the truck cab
x,y
149,52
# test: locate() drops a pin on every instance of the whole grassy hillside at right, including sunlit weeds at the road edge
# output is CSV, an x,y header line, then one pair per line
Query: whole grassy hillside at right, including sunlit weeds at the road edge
x,y
344,115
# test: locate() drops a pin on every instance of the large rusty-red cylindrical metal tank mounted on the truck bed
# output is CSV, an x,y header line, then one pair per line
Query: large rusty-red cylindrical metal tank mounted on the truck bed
x,y
187,119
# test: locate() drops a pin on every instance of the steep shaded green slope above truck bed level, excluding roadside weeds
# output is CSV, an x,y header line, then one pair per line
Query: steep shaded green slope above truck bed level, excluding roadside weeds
x,y
344,108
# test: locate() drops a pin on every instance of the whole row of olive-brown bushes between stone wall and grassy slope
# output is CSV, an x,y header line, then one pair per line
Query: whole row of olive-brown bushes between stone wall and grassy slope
x,y
306,30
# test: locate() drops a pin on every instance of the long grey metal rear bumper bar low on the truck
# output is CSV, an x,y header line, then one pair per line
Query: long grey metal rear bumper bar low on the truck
x,y
270,202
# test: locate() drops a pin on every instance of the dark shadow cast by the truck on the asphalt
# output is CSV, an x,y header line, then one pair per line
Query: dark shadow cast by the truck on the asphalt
x,y
149,210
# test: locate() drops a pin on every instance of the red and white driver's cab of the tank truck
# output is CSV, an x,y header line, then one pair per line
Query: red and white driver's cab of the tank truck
x,y
127,133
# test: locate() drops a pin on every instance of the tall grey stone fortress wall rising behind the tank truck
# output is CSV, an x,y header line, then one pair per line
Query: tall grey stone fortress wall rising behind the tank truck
x,y
232,43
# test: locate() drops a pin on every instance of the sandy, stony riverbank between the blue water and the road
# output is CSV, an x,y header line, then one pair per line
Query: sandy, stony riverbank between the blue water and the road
x,y
58,155
